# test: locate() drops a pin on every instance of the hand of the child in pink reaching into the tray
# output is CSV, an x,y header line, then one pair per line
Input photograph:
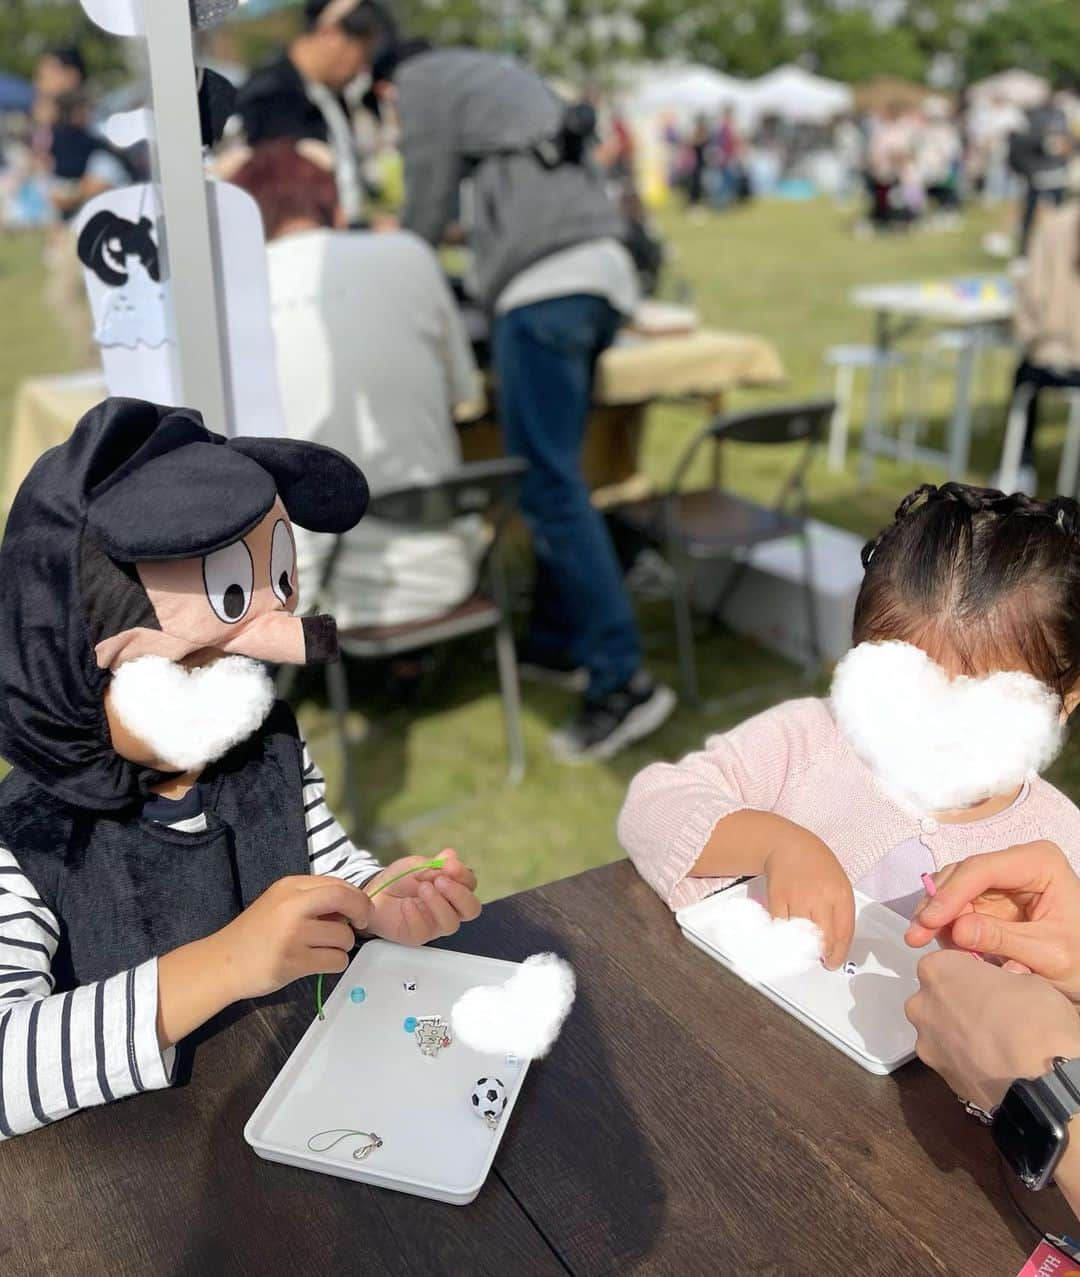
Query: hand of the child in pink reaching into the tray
x,y
806,882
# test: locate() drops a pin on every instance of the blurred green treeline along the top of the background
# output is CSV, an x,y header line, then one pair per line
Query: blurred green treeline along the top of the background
x,y
850,40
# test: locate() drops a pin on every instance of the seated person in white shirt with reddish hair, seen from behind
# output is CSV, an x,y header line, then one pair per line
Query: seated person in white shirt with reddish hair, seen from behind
x,y
373,361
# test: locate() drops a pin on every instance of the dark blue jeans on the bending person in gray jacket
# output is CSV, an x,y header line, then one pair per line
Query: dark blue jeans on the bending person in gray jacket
x,y
544,357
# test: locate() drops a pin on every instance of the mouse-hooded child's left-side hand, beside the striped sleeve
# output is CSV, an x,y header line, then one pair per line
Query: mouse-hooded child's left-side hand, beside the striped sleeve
x,y
301,926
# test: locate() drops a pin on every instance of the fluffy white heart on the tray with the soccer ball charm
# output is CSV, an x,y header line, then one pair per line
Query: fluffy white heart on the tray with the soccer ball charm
x,y
521,1017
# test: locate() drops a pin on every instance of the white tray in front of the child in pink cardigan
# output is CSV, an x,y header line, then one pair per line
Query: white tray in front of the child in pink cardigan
x,y
862,1015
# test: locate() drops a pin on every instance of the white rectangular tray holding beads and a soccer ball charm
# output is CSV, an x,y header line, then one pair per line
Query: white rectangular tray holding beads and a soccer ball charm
x,y
359,1069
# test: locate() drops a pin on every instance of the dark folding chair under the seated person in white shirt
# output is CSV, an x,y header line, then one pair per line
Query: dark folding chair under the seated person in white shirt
x,y
486,490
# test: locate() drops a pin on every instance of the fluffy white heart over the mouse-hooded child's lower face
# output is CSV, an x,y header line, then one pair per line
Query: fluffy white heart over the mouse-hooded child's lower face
x,y
190,718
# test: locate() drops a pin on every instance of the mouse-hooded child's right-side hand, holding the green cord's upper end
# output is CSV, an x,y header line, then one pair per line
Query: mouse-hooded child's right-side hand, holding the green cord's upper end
x,y
423,906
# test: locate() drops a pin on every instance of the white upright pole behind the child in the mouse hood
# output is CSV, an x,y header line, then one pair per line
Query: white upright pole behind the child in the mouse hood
x,y
190,248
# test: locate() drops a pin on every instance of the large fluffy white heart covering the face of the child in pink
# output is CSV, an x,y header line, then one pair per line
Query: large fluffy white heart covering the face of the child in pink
x,y
940,744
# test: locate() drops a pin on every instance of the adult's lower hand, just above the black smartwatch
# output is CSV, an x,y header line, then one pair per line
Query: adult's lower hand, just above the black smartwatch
x,y
982,1027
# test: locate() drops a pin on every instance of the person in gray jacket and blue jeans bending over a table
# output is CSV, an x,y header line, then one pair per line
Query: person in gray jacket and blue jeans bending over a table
x,y
487,145
